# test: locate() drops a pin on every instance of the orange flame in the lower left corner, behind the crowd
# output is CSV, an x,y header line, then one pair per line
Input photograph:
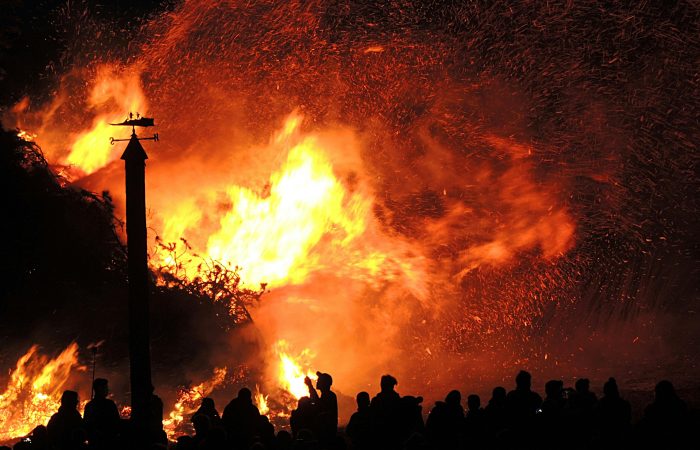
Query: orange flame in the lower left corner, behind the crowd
x,y
34,390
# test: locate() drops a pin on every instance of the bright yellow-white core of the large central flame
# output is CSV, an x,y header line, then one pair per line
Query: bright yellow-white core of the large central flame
x,y
271,238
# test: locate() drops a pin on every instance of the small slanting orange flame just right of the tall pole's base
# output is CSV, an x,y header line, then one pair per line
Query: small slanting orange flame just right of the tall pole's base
x,y
188,401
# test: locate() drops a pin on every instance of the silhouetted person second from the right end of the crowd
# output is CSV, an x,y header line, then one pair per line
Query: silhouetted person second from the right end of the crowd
x,y
613,415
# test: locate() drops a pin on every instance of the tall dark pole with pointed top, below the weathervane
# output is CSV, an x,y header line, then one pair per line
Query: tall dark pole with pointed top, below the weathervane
x,y
139,336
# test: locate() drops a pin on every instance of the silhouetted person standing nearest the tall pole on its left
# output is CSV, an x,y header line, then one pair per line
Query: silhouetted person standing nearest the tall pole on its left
x,y
101,417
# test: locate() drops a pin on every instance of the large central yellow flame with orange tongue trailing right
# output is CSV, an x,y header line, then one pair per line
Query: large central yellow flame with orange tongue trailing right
x,y
305,220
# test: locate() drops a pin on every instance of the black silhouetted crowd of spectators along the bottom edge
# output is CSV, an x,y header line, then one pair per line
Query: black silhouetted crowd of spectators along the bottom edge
x,y
567,418
